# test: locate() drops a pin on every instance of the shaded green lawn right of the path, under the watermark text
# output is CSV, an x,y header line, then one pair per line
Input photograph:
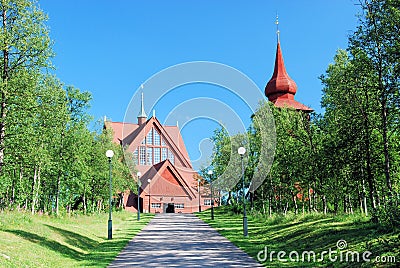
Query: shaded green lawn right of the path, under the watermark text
x,y
315,232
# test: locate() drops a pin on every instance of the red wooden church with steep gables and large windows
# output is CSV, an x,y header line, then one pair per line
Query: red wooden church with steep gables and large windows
x,y
168,181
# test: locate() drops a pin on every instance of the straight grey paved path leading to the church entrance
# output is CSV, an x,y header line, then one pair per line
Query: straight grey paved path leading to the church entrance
x,y
181,240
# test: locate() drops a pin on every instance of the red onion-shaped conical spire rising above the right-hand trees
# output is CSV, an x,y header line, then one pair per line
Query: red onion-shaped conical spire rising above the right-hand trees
x,y
280,85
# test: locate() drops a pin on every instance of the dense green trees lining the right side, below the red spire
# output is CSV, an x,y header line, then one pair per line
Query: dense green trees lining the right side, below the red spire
x,y
346,159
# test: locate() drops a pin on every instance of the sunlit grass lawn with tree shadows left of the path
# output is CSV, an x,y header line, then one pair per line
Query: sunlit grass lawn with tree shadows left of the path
x,y
43,241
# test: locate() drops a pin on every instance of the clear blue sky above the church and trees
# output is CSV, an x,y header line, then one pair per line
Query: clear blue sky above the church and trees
x,y
111,47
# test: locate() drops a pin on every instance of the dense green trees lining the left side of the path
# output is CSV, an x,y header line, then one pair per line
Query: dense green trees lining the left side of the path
x,y
50,162
